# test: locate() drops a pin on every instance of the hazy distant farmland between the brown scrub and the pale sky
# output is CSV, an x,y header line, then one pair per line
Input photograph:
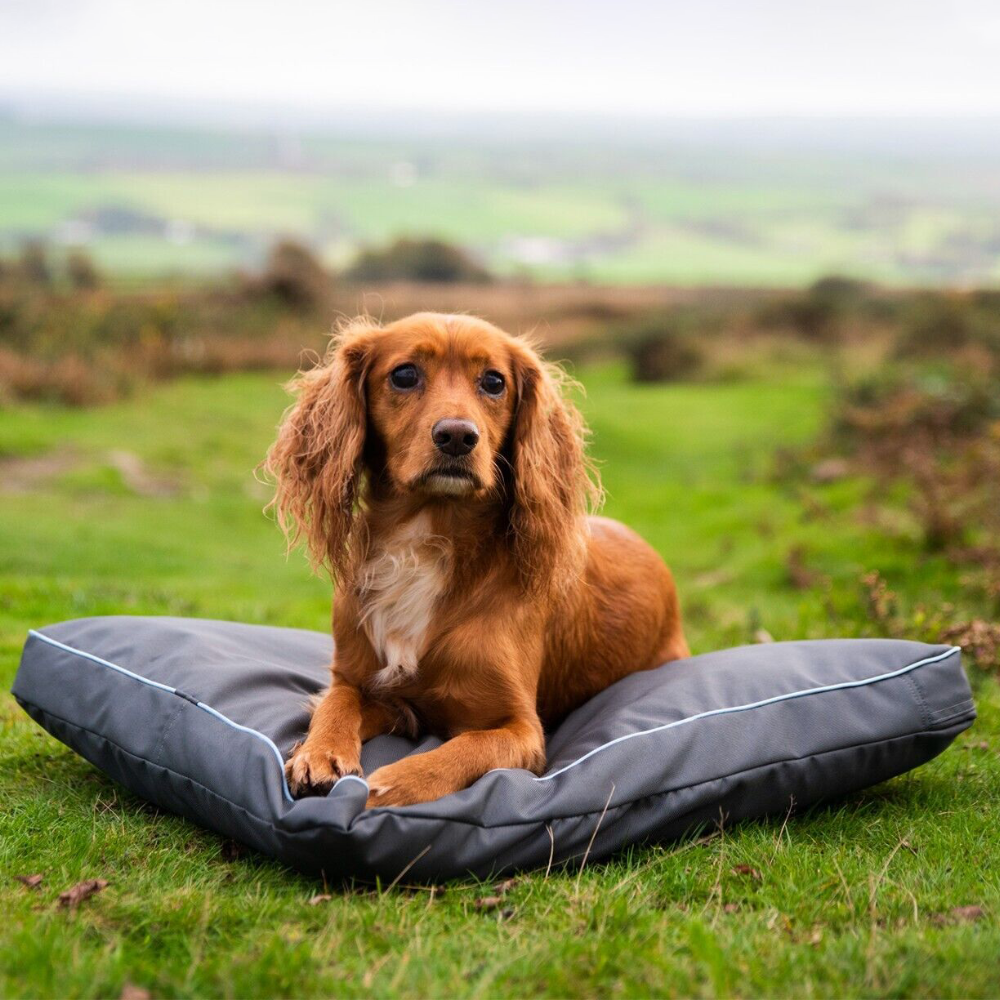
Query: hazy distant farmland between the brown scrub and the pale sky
x,y
700,208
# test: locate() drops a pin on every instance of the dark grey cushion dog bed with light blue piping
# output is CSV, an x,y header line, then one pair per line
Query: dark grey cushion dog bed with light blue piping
x,y
197,717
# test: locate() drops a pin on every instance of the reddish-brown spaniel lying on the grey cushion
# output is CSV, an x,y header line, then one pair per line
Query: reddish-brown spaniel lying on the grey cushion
x,y
436,468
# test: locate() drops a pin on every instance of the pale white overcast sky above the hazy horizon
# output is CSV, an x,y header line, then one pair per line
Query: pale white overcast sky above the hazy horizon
x,y
637,57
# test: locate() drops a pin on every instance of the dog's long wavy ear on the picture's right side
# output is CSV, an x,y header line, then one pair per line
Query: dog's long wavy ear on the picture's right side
x,y
554,483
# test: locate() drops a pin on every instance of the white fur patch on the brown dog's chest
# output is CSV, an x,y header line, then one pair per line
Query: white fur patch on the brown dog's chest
x,y
400,586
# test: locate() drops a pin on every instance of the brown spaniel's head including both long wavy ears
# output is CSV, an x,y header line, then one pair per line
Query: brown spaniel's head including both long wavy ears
x,y
442,409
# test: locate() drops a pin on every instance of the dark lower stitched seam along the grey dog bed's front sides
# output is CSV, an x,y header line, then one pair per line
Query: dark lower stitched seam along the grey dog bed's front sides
x,y
409,814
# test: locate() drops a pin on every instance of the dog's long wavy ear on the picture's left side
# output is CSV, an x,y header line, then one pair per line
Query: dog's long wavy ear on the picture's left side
x,y
317,460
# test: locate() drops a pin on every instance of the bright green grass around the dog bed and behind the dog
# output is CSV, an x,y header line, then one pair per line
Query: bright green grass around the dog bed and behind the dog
x,y
851,894
